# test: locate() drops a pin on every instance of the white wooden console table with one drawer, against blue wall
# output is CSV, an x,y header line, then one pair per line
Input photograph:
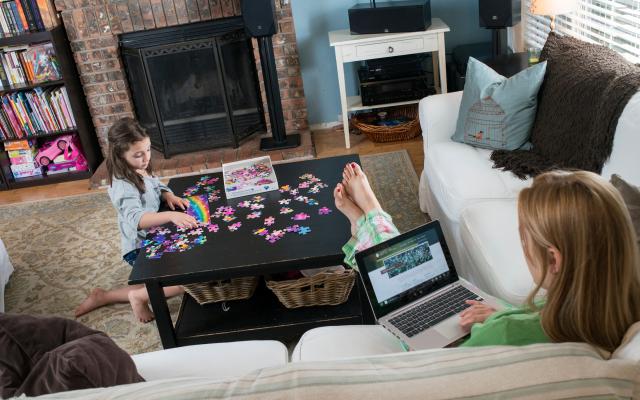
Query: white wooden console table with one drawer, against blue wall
x,y
351,48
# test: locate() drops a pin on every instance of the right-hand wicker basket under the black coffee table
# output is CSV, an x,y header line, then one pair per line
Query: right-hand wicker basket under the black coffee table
x,y
323,289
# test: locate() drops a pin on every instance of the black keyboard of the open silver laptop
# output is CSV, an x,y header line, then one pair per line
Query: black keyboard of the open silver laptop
x,y
433,311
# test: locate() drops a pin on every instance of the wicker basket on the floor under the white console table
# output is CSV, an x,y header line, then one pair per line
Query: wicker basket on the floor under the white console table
x,y
404,131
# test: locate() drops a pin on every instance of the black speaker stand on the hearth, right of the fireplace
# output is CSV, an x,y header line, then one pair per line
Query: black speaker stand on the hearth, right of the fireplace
x,y
279,139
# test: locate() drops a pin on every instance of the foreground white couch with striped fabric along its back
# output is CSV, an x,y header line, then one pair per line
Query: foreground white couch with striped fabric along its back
x,y
356,362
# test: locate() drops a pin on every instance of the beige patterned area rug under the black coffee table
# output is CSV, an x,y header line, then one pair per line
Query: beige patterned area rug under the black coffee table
x,y
63,248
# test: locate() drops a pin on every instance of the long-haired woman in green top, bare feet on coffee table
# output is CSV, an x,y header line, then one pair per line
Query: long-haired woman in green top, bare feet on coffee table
x,y
579,245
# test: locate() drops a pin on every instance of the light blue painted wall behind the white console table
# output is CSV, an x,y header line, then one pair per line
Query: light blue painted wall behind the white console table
x,y
315,18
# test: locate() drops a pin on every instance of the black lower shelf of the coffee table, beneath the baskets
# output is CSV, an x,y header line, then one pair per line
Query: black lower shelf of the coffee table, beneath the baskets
x,y
261,317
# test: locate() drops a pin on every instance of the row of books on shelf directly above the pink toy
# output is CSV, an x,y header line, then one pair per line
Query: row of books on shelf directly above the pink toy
x,y
35,112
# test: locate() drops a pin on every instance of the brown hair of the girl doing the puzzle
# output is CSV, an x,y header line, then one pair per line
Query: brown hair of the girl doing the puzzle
x,y
121,136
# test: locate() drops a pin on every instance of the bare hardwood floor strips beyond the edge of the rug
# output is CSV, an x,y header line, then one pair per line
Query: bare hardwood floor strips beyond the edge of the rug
x,y
328,143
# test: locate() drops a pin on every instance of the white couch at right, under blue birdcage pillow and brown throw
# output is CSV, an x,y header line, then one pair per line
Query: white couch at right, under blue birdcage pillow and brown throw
x,y
477,203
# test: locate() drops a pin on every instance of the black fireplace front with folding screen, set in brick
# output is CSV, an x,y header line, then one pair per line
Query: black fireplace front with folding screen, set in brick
x,y
195,86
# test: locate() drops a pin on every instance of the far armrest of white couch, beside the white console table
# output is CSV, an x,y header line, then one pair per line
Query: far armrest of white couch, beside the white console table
x,y
438,116
